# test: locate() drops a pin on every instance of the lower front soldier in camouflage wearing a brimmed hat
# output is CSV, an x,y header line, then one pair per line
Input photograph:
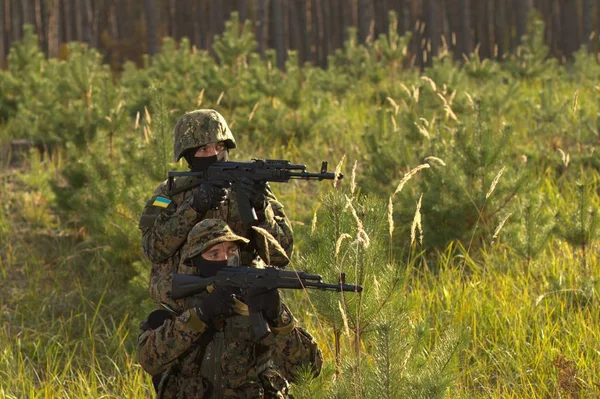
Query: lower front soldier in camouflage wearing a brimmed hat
x,y
203,347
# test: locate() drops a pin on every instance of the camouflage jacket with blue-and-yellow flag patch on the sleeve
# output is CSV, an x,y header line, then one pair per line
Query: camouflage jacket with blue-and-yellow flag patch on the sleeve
x,y
168,218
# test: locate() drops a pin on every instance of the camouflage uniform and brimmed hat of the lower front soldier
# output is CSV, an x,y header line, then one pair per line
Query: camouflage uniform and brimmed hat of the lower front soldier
x,y
196,361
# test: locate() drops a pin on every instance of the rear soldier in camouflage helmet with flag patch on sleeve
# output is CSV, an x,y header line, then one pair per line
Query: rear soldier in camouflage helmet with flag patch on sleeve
x,y
203,137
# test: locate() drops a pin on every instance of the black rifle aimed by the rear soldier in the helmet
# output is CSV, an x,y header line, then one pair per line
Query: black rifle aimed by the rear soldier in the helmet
x,y
258,170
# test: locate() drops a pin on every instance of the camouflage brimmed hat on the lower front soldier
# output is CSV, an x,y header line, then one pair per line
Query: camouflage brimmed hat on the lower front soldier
x,y
207,233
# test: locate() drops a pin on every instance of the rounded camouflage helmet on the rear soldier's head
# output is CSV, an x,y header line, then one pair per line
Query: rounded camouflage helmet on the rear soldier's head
x,y
200,127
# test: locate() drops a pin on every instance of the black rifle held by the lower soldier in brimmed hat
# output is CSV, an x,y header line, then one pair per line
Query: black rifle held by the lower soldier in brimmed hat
x,y
244,278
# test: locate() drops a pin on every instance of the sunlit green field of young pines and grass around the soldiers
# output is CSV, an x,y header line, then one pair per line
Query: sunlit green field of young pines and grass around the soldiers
x,y
468,210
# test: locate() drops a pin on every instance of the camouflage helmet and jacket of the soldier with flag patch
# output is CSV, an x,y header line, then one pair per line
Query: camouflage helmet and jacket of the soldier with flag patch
x,y
168,216
